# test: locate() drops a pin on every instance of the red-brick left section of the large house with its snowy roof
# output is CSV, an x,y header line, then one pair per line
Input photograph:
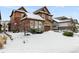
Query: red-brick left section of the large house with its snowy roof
x,y
21,20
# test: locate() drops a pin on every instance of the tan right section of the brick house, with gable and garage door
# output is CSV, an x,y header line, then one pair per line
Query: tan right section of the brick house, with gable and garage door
x,y
45,14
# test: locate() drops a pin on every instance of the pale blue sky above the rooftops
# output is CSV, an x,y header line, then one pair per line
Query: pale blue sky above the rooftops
x,y
70,11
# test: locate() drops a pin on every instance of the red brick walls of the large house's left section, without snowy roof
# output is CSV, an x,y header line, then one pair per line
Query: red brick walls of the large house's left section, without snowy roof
x,y
22,25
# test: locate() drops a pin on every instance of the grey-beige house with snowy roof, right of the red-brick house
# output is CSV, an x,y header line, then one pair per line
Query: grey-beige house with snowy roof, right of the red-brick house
x,y
65,23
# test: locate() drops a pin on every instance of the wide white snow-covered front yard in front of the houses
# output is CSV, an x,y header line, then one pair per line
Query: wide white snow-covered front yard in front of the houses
x,y
47,42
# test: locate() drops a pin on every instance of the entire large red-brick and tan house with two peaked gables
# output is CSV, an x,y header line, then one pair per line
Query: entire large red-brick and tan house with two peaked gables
x,y
22,20
